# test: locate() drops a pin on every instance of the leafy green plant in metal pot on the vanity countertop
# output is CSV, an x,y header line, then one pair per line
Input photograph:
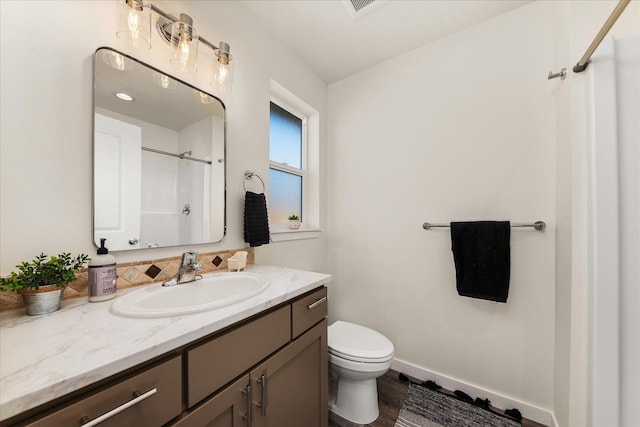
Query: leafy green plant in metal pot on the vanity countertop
x,y
41,280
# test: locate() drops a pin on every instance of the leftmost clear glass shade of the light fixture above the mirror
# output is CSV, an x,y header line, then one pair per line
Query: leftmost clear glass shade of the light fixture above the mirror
x,y
134,23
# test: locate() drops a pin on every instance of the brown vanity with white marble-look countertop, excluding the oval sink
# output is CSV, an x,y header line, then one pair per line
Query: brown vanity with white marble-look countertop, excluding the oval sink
x,y
258,362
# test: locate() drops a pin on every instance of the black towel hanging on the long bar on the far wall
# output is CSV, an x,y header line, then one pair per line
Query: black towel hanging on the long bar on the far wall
x,y
481,254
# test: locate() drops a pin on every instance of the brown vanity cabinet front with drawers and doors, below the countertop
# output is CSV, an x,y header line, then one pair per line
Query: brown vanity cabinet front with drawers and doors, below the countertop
x,y
269,371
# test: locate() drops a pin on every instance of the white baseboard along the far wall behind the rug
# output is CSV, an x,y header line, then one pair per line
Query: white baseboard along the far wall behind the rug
x,y
532,412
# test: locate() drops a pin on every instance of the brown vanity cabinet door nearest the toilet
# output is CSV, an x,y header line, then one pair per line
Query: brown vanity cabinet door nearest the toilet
x,y
290,388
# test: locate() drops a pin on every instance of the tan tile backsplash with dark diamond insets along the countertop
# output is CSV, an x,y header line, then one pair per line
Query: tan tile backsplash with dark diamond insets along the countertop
x,y
137,273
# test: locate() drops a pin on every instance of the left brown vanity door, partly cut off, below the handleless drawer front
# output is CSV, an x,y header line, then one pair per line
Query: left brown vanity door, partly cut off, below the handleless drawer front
x,y
228,408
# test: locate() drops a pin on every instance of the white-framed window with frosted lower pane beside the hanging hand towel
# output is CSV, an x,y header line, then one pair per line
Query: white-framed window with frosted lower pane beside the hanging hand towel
x,y
287,141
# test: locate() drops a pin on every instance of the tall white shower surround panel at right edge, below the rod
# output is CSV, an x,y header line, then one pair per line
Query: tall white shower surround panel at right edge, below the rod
x,y
615,335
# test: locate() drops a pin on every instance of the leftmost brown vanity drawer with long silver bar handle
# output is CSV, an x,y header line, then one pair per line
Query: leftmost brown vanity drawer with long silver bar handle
x,y
157,393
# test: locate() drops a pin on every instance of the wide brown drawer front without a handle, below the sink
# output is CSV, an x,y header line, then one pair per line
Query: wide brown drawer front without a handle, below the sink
x,y
214,364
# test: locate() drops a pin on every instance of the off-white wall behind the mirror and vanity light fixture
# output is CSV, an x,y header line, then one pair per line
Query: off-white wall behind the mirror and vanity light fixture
x,y
47,107
